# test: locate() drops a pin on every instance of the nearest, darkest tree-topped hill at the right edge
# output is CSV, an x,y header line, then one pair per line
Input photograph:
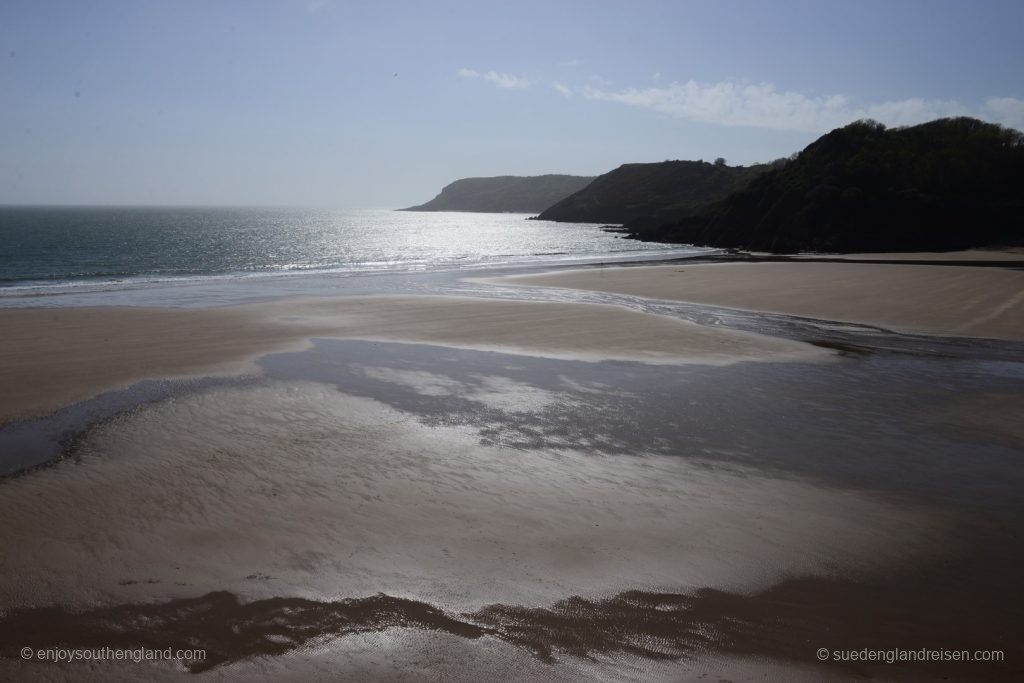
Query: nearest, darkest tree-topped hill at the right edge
x,y
948,185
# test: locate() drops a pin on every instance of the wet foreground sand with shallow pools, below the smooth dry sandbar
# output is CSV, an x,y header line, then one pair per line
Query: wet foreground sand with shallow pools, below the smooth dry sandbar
x,y
609,520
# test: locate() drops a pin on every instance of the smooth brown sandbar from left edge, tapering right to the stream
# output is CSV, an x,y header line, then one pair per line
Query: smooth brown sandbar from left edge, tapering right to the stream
x,y
50,358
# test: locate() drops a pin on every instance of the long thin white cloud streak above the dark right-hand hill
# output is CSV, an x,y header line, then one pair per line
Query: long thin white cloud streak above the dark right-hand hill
x,y
763,106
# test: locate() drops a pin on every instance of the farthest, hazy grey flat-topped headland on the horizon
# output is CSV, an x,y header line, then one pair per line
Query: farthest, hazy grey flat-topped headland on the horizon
x,y
505,194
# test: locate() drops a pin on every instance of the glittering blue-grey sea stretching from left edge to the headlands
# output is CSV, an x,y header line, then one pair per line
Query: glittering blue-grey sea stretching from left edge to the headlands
x,y
62,250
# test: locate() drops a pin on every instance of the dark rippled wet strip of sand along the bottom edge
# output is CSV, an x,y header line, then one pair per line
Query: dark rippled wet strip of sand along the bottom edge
x,y
790,622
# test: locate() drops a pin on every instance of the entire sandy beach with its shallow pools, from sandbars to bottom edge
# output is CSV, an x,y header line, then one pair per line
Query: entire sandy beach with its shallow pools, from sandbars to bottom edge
x,y
530,489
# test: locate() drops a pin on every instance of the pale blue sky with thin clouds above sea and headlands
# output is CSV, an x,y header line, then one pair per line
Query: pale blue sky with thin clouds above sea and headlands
x,y
380,104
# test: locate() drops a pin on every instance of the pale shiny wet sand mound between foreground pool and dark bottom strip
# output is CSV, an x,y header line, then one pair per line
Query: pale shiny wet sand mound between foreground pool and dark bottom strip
x,y
295,489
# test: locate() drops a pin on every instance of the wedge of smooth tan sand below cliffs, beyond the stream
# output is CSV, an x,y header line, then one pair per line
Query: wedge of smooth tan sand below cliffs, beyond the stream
x,y
930,300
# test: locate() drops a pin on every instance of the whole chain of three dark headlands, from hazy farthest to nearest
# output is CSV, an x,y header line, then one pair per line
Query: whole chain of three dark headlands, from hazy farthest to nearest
x,y
944,186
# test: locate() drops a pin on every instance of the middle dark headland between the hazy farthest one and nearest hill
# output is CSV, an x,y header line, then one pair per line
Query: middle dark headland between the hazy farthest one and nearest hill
x,y
652,194
